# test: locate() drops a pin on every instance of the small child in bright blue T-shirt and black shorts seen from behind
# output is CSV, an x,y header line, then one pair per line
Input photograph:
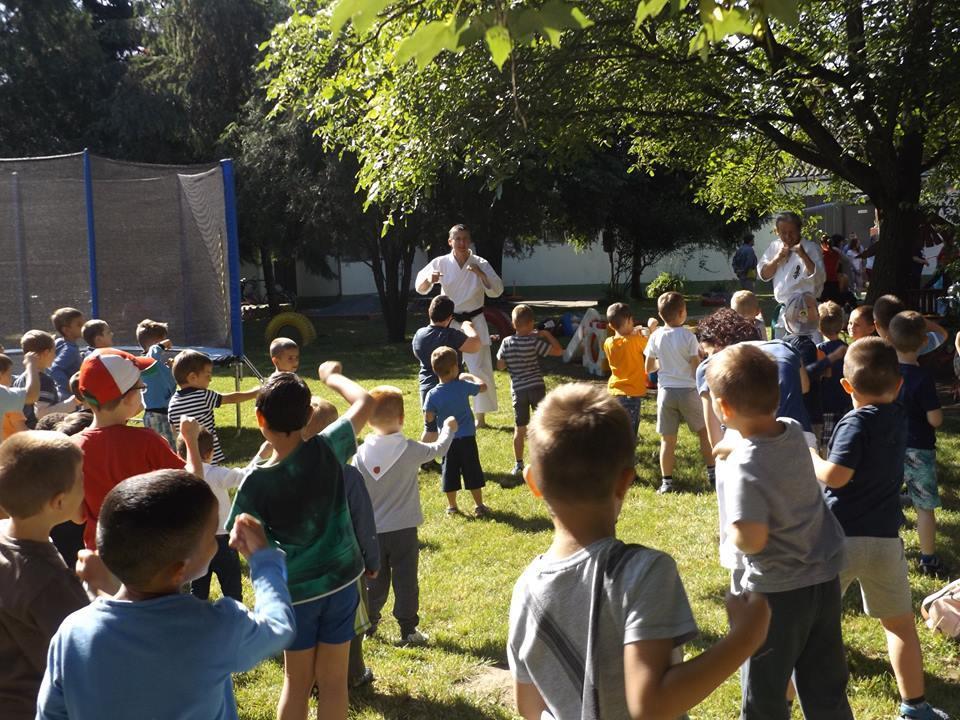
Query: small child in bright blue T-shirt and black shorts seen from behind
x,y
451,398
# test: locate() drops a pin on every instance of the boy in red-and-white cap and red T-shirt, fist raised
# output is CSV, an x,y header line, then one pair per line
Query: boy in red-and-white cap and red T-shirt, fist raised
x,y
113,451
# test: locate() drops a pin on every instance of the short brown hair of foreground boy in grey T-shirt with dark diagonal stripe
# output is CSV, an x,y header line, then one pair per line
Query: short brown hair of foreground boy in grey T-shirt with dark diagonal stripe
x,y
581,440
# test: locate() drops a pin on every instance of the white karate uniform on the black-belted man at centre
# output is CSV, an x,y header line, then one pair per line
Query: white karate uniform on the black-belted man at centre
x,y
467,292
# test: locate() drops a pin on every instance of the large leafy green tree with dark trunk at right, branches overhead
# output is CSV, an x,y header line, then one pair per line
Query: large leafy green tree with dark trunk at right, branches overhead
x,y
866,91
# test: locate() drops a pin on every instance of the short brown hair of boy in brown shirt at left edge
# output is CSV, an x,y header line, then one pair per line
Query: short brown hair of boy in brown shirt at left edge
x,y
35,467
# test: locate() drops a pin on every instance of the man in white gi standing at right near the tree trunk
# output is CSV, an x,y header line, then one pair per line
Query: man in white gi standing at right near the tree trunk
x,y
794,265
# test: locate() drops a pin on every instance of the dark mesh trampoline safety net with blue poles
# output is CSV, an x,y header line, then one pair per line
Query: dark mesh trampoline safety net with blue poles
x,y
122,241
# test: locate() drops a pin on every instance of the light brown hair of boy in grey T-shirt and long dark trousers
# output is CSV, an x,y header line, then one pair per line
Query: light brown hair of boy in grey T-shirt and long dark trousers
x,y
745,378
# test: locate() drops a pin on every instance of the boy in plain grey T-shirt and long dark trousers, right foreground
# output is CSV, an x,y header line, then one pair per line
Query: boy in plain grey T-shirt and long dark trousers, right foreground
x,y
772,511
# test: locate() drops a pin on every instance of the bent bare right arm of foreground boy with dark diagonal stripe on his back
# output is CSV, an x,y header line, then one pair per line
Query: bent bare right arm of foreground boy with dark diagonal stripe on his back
x,y
657,689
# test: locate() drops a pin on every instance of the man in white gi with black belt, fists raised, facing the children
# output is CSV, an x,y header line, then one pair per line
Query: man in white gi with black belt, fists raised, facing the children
x,y
466,278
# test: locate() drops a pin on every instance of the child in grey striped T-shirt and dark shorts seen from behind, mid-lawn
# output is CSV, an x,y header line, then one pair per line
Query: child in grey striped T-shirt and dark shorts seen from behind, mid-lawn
x,y
518,354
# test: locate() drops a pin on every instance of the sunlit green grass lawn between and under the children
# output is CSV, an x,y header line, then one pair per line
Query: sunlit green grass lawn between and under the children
x,y
468,567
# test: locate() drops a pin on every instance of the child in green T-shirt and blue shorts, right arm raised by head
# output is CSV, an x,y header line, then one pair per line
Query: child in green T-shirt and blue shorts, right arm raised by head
x,y
298,494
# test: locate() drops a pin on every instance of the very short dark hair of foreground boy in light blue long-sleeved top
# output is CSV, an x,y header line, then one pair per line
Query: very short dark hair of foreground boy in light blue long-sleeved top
x,y
151,521
